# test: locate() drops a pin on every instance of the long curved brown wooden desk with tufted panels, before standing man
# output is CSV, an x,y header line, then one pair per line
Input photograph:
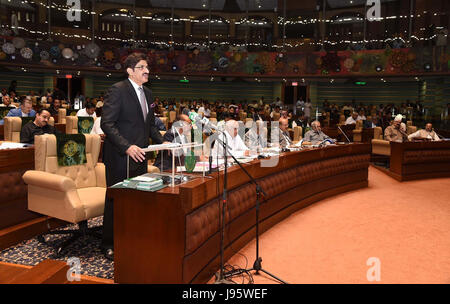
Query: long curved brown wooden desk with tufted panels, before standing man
x,y
173,236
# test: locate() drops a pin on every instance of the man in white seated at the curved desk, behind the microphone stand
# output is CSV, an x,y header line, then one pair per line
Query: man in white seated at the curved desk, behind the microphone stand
x,y
236,145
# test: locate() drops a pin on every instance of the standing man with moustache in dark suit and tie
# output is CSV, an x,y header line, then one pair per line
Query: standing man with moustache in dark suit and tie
x,y
128,122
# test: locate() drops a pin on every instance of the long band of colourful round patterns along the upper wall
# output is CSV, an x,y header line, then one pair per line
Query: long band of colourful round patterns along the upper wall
x,y
229,60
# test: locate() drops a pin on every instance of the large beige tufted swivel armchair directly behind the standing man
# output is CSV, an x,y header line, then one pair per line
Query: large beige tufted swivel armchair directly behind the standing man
x,y
73,194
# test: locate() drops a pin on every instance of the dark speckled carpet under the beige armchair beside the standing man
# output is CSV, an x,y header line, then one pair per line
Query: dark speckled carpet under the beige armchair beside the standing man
x,y
87,249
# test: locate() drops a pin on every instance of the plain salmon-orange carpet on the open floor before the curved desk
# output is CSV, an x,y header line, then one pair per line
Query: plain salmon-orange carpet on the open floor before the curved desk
x,y
405,225
